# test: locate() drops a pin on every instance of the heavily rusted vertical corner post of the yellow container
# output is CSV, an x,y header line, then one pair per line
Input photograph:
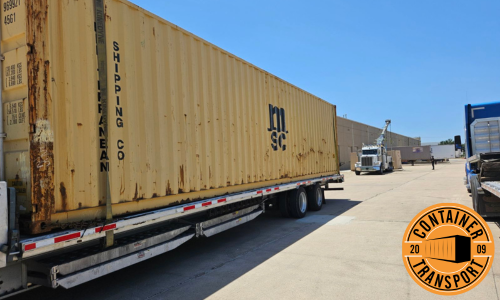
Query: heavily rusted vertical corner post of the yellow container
x,y
41,143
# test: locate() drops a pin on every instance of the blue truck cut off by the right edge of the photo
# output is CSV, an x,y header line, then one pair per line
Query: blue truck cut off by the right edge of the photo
x,y
482,148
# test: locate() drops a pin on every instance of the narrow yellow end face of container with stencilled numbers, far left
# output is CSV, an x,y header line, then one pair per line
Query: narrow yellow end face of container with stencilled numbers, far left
x,y
18,122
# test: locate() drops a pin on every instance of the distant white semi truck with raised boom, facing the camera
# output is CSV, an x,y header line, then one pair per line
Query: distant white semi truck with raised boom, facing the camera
x,y
374,158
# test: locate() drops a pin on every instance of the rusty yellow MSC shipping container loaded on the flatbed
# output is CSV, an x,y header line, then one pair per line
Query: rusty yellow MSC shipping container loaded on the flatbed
x,y
187,120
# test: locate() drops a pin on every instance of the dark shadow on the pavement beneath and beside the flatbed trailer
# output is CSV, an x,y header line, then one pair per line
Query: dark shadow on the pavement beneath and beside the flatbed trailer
x,y
202,266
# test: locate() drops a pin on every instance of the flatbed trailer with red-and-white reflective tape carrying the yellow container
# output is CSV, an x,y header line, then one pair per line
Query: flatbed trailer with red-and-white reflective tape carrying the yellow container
x,y
70,258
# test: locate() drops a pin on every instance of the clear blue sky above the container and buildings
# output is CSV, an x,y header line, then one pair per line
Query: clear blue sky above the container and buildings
x,y
415,62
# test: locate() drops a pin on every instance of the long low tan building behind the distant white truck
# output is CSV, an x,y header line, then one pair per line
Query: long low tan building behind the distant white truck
x,y
353,134
